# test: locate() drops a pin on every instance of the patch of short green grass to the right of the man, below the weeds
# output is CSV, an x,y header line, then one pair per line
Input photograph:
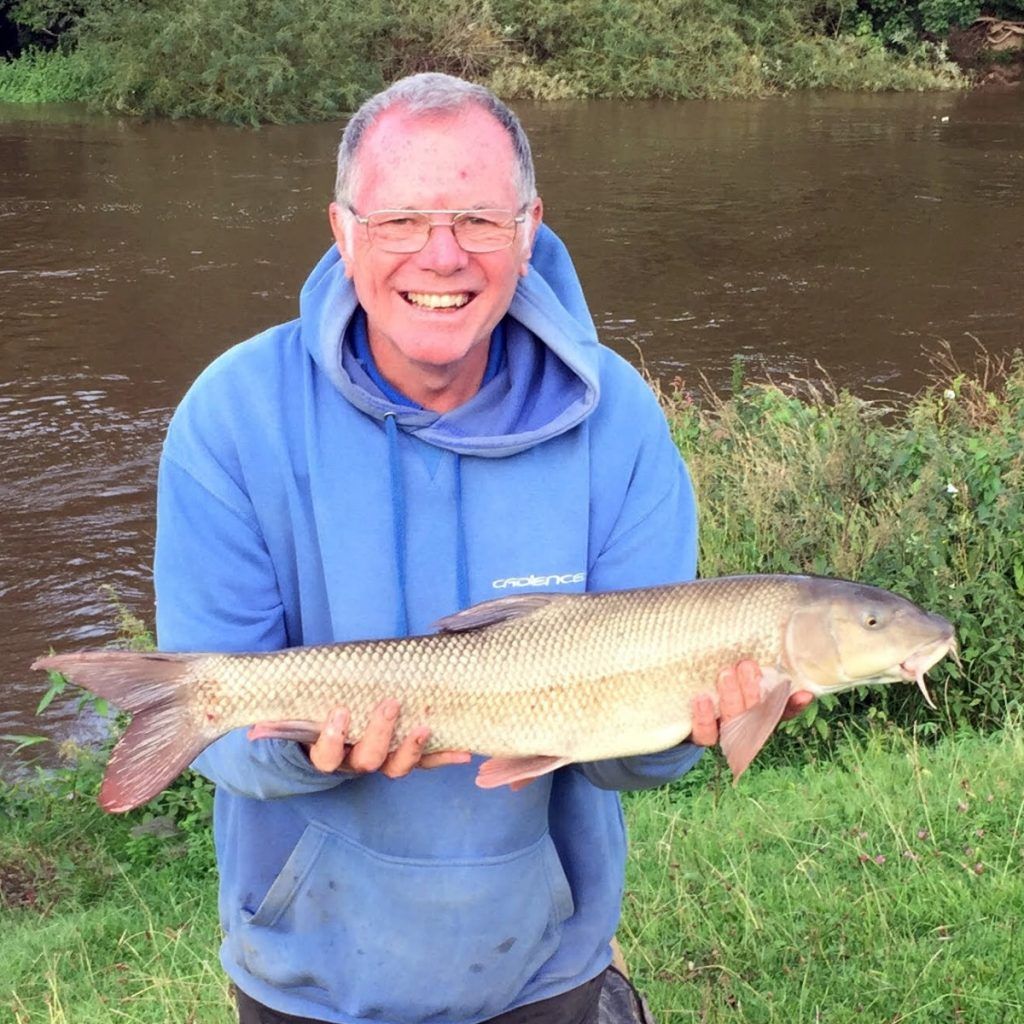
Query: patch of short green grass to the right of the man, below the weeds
x,y
886,887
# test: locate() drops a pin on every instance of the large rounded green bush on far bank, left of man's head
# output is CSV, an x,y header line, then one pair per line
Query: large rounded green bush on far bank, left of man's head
x,y
234,60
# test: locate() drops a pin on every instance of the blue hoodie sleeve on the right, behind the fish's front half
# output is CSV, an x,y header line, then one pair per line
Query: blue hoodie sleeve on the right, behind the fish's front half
x,y
653,541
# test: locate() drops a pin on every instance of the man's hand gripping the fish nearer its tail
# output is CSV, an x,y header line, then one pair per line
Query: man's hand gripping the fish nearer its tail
x,y
372,752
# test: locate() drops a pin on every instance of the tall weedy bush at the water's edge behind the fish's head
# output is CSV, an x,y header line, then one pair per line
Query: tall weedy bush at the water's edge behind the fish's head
x,y
926,500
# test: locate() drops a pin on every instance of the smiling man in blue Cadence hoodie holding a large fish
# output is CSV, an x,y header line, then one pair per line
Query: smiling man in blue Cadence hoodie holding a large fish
x,y
439,428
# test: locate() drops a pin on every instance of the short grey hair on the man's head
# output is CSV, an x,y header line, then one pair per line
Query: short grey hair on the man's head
x,y
422,96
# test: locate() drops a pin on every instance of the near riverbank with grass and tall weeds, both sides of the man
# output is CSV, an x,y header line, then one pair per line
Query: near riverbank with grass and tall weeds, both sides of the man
x,y
869,867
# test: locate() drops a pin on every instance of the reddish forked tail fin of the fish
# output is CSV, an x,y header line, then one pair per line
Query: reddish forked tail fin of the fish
x,y
162,739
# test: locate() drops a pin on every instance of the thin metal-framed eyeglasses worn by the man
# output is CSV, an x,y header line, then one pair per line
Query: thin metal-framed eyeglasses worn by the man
x,y
408,231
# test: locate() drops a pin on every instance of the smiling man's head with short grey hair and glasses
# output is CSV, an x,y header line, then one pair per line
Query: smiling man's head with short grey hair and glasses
x,y
435,144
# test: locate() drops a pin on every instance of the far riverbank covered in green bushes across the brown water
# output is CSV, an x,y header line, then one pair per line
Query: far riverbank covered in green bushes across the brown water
x,y
251,63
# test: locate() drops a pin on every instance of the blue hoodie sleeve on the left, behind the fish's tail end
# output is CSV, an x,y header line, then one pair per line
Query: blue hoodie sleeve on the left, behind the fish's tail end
x,y
217,591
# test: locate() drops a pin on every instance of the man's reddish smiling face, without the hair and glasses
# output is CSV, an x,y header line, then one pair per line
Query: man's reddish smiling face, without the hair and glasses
x,y
456,162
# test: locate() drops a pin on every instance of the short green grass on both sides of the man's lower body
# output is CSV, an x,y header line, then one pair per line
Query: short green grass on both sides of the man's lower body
x,y
885,887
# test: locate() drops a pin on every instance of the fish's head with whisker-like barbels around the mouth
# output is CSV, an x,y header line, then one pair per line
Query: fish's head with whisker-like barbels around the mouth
x,y
850,634
